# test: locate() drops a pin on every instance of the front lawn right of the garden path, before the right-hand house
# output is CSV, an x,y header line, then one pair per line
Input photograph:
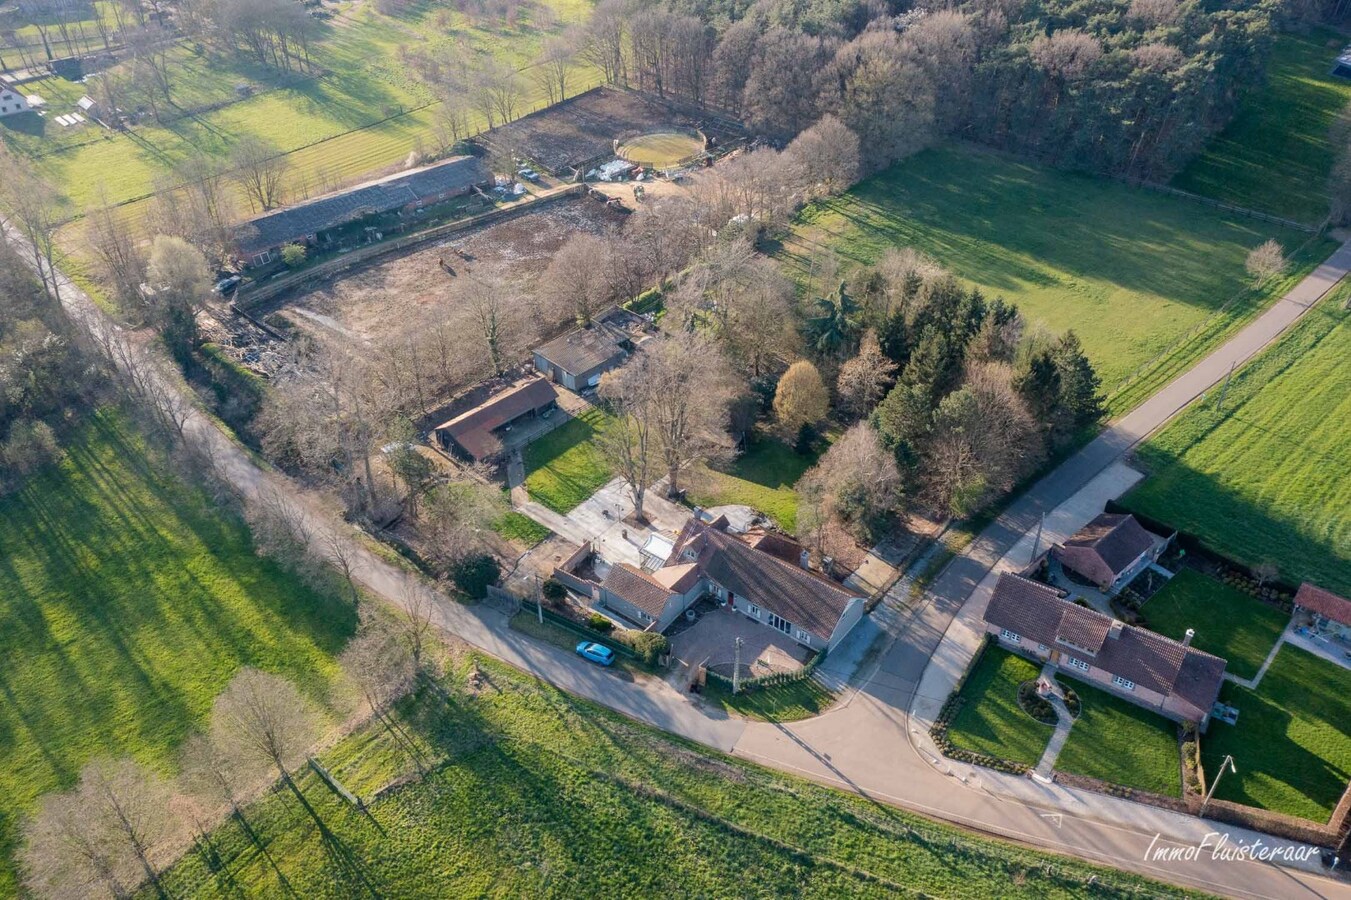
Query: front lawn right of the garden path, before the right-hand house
x,y
1118,741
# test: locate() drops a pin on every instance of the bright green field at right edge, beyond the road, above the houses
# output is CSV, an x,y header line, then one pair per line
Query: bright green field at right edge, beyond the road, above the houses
x,y
1265,480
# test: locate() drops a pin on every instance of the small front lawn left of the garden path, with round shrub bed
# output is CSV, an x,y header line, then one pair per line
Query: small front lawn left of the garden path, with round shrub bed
x,y
991,721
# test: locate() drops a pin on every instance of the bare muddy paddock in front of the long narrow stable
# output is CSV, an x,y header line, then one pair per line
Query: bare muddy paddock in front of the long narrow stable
x,y
369,302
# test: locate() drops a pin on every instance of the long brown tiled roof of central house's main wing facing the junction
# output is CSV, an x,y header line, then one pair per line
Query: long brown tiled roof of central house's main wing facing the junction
x,y
803,598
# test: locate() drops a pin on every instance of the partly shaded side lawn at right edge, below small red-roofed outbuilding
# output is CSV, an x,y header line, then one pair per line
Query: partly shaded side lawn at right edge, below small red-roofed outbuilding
x,y
1292,745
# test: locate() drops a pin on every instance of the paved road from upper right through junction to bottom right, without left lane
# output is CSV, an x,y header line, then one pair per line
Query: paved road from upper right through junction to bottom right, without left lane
x,y
867,744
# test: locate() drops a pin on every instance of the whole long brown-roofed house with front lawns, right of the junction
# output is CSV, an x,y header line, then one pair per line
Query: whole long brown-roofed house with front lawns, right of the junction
x,y
1158,674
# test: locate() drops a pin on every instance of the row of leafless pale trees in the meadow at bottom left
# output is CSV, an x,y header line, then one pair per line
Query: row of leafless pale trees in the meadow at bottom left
x,y
124,824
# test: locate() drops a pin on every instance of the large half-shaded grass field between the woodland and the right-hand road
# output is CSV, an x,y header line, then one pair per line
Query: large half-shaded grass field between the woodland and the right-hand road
x,y
1127,270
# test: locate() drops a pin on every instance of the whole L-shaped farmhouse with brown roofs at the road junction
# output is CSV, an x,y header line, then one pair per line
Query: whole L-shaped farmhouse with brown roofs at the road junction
x,y
707,560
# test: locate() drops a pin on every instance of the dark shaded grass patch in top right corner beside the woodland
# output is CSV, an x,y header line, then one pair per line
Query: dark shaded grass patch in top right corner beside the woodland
x,y
1276,155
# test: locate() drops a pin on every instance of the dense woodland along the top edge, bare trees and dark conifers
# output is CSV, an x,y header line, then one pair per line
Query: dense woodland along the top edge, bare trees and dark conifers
x,y
1131,90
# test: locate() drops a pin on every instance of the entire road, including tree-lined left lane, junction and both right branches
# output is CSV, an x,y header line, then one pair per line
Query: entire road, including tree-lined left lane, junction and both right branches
x,y
882,733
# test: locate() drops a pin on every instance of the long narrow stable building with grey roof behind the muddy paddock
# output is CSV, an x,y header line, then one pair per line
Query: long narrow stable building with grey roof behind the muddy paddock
x,y
260,241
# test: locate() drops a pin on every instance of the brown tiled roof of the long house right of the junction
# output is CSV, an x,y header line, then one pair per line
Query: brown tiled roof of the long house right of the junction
x,y
1038,613
